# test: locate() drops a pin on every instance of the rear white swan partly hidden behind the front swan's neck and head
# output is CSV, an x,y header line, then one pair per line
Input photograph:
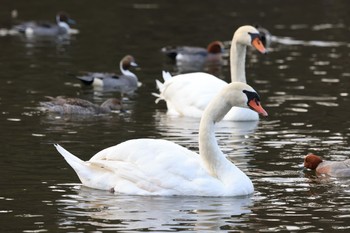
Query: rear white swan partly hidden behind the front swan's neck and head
x,y
189,94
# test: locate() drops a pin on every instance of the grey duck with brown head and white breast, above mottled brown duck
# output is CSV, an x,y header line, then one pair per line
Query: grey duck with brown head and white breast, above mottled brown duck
x,y
126,82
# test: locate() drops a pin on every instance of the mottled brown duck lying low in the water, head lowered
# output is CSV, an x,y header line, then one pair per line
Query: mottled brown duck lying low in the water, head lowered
x,y
76,106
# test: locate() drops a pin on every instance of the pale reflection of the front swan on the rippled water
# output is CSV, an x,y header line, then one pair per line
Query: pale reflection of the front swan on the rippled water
x,y
156,213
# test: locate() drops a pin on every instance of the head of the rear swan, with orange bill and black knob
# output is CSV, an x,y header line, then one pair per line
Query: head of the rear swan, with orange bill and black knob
x,y
249,36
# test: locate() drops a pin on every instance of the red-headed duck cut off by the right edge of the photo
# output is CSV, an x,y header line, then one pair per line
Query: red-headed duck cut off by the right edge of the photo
x,y
330,168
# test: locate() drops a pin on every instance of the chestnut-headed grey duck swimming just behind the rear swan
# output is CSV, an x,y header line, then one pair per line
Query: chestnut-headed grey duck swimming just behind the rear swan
x,y
195,58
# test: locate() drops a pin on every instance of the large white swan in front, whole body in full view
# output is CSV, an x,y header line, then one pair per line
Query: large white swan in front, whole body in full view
x,y
160,167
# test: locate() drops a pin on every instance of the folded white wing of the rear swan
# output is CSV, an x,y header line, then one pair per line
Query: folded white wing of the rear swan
x,y
189,94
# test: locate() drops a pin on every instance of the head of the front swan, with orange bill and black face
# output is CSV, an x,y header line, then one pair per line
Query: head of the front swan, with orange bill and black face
x,y
243,95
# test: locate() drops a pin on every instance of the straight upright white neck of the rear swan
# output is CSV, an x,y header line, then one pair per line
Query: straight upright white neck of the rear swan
x,y
237,61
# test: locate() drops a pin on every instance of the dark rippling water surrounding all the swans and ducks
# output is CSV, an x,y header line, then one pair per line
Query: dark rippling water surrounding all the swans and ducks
x,y
303,82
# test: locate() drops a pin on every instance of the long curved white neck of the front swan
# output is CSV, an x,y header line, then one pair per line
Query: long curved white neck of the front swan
x,y
212,157
